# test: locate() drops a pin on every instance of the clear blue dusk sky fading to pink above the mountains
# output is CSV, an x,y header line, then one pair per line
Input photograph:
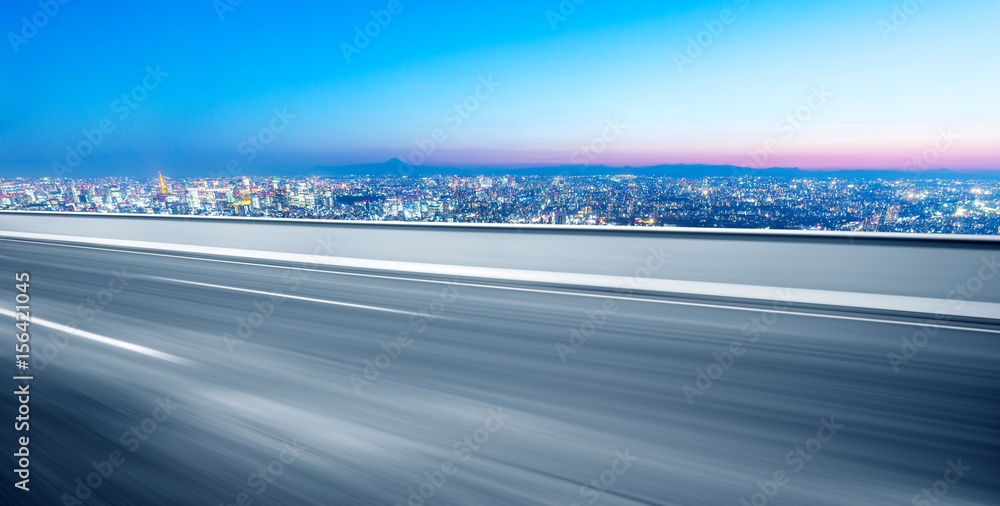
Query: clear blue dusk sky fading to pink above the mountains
x,y
889,88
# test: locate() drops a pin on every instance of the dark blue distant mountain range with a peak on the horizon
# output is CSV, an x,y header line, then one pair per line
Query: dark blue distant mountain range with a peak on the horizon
x,y
395,167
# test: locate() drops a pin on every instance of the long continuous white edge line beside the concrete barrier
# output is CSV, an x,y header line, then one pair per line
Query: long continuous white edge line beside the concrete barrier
x,y
539,290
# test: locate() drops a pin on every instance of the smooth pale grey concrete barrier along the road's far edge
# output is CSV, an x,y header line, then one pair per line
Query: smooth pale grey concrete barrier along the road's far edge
x,y
918,273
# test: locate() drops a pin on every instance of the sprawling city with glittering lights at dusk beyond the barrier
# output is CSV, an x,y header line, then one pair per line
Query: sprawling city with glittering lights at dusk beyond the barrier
x,y
921,205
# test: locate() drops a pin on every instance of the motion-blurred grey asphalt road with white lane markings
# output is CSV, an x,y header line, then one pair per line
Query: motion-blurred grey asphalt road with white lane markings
x,y
197,381
